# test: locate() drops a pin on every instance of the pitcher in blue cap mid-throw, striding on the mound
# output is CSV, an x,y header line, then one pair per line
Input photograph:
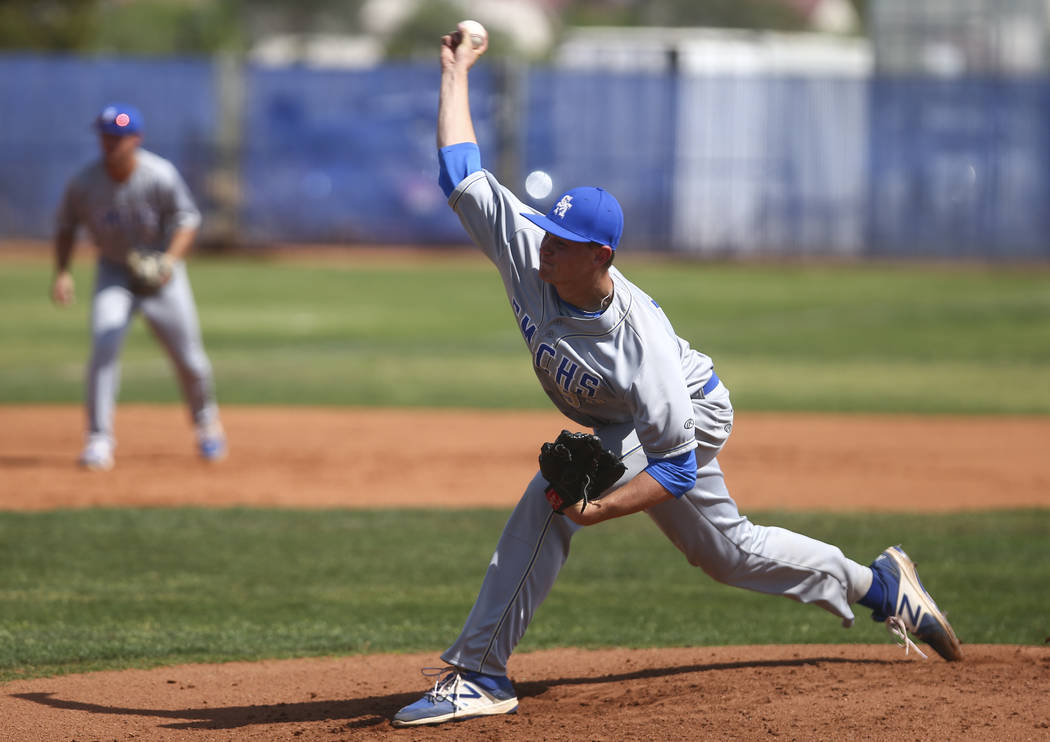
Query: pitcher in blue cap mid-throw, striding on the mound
x,y
610,359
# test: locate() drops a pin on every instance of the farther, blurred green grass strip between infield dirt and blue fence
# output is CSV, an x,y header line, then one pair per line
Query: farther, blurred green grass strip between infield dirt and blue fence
x,y
850,338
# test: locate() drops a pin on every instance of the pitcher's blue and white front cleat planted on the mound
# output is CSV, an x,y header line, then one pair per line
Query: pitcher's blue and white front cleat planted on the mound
x,y
460,695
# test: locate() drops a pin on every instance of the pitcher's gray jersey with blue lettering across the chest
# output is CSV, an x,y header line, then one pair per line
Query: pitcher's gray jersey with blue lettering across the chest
x,y
625,365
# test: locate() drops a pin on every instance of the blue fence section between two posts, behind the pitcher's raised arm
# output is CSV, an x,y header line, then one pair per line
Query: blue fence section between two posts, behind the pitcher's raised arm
x,y
349,156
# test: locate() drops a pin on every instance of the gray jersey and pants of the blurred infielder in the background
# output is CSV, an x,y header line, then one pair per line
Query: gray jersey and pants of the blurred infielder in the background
x,y
143,211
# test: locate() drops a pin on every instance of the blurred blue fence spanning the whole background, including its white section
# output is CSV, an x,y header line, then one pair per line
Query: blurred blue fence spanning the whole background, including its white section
x,y
708,165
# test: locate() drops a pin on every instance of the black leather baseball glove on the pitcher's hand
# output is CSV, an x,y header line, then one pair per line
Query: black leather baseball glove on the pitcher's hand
x,y
578,469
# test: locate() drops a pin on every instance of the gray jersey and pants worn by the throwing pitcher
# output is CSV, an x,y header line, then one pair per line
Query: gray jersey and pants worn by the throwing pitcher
x,y
626,375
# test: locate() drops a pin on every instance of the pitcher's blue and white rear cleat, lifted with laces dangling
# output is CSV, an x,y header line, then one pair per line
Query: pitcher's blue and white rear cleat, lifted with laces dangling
x,y
910,608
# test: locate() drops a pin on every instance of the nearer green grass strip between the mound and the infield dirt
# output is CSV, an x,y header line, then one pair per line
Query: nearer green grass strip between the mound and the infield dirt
x,y
95,589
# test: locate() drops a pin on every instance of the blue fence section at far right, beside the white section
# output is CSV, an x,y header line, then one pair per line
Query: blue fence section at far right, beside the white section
x,y
960,168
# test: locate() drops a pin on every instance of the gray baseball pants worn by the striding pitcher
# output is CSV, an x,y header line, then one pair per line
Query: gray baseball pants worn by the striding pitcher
x,y
704,524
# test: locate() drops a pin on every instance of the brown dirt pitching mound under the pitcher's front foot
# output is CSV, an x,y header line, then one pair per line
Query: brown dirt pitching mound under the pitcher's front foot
x,y
728,693
